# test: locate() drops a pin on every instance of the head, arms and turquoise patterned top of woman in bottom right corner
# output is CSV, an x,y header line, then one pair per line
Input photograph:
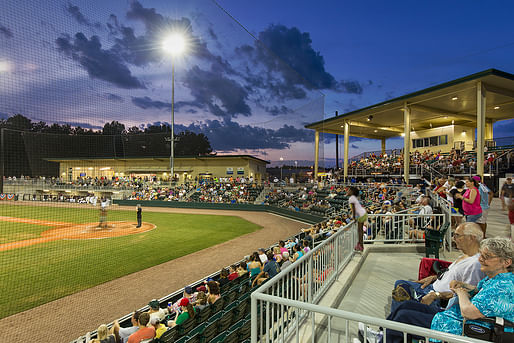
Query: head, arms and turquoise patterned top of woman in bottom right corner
x,y
493,296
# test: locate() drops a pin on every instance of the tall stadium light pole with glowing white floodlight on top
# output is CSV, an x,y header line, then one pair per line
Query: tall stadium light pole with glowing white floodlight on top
x,y
174,45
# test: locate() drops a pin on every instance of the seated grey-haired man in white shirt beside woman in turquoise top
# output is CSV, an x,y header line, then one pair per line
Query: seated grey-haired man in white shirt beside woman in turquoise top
x,y
433,289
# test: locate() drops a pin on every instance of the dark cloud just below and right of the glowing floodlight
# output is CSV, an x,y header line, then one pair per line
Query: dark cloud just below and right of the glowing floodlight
x,y
224,97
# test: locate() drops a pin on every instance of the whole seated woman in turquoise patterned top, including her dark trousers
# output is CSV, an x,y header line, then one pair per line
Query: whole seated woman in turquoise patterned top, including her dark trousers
x,y
492,297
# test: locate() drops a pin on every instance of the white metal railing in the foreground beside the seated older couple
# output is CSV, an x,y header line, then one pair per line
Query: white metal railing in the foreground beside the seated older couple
x,y
281,306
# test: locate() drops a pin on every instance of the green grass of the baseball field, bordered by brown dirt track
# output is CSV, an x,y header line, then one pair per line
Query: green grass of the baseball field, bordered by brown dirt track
x,y
41,273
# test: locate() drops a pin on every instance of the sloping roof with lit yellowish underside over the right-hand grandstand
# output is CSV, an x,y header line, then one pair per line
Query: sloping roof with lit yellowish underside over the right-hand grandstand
x,y
453,102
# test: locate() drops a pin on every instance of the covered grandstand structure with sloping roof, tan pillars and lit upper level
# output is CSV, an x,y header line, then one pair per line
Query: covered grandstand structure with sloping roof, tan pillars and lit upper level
x,y
456,114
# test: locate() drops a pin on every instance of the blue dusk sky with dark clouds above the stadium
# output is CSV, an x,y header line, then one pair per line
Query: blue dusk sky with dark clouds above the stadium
x,y
90,62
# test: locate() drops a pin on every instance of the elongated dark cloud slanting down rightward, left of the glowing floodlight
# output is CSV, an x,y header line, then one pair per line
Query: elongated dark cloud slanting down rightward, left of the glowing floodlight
x,y
99,63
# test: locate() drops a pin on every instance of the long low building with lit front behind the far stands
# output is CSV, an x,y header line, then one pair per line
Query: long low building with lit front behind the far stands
x,y
187,169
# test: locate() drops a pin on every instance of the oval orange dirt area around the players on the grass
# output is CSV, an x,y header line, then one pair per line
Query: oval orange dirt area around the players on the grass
x,y
93,231
